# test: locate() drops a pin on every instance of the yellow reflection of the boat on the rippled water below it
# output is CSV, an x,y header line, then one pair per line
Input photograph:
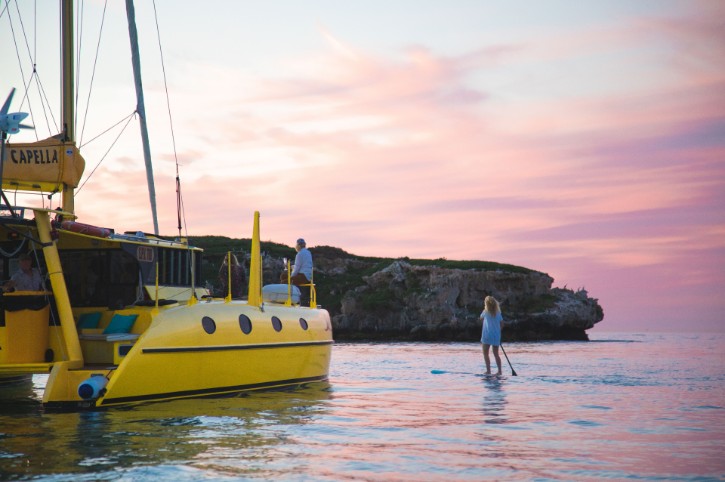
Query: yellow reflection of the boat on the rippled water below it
x,y
184,431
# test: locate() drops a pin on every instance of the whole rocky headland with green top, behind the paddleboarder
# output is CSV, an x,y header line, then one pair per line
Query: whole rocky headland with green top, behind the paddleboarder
x,y
382,298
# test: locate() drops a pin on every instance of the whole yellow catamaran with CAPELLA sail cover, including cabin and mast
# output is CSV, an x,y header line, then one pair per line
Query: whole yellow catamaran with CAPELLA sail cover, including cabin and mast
x,y
121,320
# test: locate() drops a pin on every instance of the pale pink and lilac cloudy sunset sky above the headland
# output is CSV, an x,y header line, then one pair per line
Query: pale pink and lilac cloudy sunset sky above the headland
x,y
584,142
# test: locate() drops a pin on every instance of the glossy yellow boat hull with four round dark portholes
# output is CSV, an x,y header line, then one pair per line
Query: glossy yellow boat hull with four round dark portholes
x,y
203,350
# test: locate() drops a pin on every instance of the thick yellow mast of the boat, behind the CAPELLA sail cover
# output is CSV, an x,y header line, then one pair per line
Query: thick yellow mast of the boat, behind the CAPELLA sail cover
x,y
68,88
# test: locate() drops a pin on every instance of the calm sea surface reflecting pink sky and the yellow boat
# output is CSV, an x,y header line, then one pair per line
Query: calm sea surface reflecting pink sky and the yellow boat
x,y
624,406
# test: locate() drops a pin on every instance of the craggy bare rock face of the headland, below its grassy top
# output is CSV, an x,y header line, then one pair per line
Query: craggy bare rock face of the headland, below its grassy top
x,y
431,303
